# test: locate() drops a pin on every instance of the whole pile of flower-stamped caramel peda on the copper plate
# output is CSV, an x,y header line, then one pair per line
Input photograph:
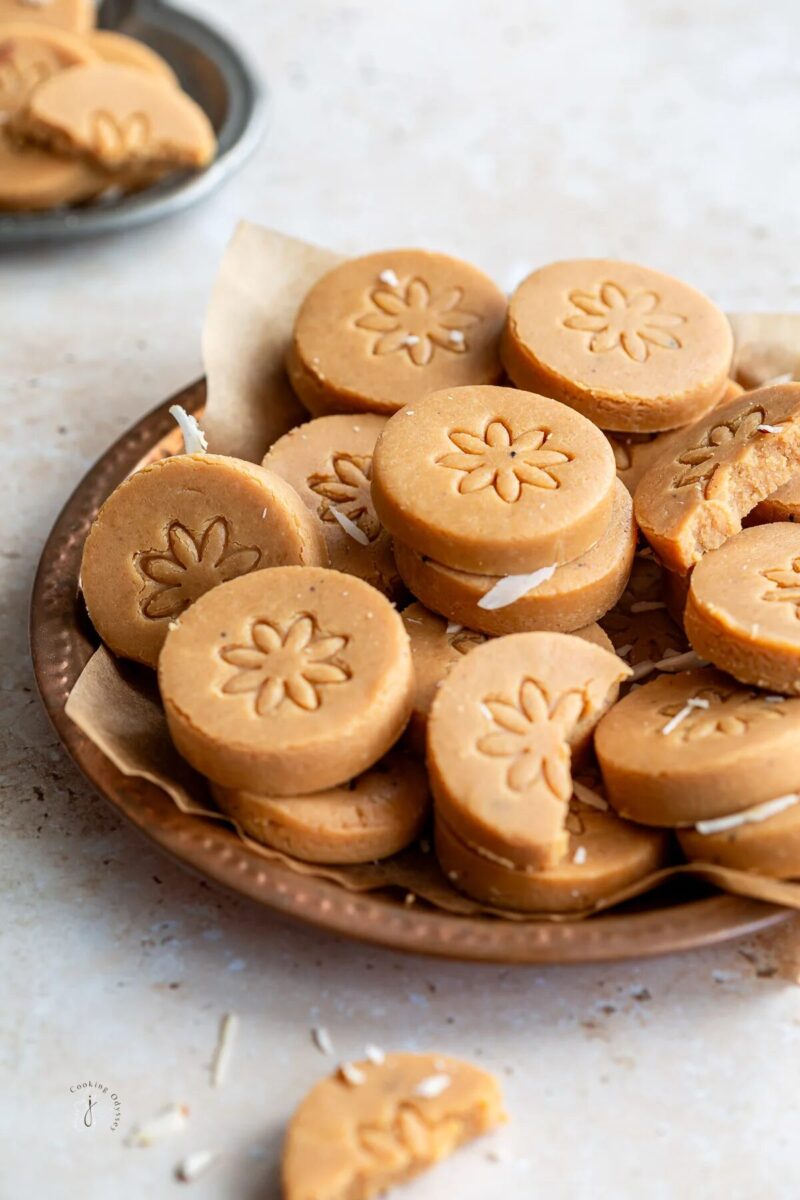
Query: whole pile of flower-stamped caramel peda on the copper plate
x,y
502,523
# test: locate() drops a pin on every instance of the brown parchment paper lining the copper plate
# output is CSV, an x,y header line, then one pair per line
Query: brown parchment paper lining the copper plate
x,y
263,278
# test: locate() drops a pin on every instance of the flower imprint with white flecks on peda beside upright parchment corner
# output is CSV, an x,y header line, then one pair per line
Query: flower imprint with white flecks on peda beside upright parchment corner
x,y
411,319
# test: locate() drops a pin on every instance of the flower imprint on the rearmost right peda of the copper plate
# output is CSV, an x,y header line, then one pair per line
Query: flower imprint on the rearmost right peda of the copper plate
x,y
629,321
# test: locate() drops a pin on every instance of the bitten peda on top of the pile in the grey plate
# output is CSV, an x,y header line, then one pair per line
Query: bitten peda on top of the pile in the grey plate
x,y
119,117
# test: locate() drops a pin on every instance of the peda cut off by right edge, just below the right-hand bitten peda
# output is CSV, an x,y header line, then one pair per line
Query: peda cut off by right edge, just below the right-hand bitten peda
x,y
743,611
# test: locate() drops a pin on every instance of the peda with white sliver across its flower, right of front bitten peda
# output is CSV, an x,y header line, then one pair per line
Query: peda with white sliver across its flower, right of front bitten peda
x,y
696,746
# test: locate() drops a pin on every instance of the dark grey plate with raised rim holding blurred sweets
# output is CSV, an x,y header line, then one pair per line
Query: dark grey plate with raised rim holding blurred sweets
x,y
215,75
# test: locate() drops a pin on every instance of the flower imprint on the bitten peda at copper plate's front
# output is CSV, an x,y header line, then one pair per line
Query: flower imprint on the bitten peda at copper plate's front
x,y
530,734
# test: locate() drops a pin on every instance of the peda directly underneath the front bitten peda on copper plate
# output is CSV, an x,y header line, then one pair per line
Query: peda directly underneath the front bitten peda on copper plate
x,y
604,856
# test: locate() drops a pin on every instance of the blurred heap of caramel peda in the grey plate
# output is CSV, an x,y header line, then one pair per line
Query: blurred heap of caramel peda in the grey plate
x,y
87,113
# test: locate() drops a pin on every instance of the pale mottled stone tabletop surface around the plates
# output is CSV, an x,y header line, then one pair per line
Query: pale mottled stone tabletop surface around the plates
x,y
512,134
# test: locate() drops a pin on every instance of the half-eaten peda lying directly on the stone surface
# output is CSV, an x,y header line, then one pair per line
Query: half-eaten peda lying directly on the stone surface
x,y
352,1141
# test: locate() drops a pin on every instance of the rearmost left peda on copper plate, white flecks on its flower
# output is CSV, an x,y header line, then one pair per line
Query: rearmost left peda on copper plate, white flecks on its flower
x,y
381,332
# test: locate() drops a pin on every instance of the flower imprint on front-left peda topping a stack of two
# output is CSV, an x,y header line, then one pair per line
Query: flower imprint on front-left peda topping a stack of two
x,y
291,667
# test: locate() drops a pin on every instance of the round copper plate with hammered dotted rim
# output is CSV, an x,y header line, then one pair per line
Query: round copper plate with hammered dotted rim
x,y
62,644
